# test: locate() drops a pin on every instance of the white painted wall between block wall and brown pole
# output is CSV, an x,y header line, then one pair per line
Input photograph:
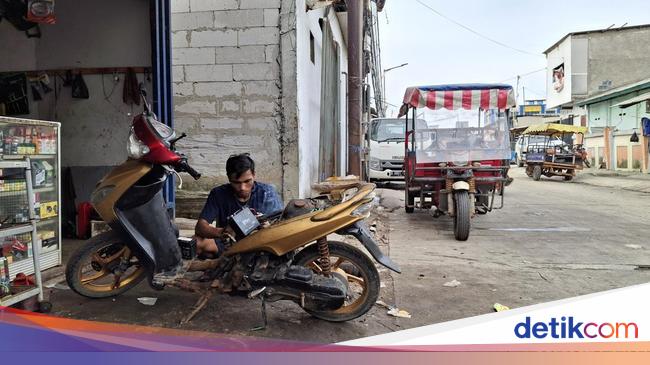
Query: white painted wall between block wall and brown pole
x,y
309,85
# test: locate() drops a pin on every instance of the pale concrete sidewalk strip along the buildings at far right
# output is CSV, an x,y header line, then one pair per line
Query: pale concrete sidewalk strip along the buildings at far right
x,y
626,181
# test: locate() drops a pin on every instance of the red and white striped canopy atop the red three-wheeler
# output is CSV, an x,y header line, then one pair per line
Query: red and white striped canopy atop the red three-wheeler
x,y
465,96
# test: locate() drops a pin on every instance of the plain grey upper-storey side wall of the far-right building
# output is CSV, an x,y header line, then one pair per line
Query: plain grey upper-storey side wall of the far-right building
x,y
621,56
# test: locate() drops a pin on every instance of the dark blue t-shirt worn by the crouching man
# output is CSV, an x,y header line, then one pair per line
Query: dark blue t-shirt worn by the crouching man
x,y
222,203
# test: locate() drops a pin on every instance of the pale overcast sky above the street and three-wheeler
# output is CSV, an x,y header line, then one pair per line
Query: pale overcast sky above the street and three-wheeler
x,y
438,51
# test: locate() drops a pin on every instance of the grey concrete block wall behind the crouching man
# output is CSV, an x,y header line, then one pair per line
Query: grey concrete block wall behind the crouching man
x,y
227,86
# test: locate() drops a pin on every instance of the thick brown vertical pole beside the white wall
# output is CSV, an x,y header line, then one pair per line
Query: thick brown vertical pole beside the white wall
x,y
355,84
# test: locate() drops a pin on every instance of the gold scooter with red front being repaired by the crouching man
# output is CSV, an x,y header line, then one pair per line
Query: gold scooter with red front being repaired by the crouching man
x,y
281,256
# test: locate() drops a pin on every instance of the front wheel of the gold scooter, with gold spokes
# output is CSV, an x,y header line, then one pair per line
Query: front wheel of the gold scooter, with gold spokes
x,y
91,270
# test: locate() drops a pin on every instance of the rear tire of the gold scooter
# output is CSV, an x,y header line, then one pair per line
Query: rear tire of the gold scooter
x,y
364,268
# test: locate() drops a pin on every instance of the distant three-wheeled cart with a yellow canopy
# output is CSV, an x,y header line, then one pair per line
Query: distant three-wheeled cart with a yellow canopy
x,y
548,157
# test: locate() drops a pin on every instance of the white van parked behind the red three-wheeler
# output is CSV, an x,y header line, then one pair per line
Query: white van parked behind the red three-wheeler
x,y
387,149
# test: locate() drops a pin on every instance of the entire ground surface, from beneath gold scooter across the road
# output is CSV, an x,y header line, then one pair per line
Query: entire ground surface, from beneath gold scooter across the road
x,y
553,240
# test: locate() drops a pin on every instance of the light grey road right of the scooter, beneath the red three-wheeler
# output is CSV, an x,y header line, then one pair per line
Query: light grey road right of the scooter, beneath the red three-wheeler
x,y
553,240
